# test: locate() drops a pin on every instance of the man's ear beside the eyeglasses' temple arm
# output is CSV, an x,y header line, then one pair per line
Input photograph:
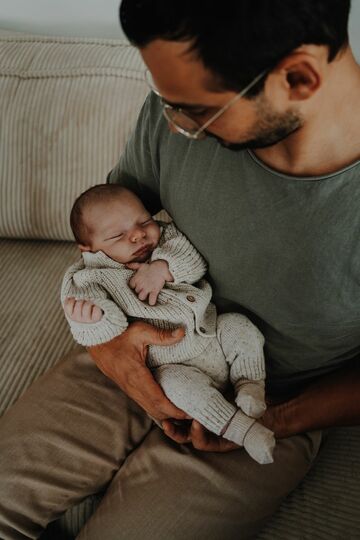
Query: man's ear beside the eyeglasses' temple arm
x,y
303,74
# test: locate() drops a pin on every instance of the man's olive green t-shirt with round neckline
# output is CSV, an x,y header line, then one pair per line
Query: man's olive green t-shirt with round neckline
x,y
282,249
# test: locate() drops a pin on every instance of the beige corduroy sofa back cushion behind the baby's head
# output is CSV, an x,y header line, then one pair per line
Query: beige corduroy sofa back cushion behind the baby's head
x,y
67,107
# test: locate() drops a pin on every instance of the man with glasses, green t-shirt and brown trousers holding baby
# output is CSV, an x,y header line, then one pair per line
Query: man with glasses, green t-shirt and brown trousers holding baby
x,y
270,199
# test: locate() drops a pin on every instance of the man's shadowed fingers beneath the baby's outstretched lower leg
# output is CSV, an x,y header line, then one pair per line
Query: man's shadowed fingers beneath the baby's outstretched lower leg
x,y
198,436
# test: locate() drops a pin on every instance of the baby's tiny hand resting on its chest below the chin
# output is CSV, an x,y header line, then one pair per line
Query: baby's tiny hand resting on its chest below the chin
x,y
149,279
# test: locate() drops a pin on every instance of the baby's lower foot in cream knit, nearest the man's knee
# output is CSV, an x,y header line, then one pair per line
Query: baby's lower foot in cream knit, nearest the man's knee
x,y
257,440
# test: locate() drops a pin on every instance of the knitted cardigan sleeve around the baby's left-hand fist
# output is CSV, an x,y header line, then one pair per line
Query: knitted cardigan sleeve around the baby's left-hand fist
x,y
113,322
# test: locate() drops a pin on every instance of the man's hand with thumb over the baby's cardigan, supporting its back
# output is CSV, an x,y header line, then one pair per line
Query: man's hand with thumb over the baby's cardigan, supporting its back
x,y
123,360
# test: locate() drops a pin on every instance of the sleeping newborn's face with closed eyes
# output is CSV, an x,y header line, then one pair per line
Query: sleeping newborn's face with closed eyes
x,y
123,229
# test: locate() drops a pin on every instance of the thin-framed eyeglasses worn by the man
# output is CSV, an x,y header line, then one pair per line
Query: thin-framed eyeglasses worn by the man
x,y
182,121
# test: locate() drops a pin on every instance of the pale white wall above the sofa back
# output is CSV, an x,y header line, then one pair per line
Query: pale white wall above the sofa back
x,y
95,18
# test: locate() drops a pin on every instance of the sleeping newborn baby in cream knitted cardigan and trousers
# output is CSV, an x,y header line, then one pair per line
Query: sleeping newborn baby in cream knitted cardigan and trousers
x,y
135,268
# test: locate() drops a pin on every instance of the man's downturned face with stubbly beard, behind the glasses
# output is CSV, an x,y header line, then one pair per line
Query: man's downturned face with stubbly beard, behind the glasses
x,y
183,81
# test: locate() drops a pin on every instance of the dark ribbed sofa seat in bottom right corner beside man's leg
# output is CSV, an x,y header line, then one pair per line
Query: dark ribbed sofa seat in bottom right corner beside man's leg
x,y
326,504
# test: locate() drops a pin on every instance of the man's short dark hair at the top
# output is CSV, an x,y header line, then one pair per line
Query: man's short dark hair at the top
x,y
238,39
